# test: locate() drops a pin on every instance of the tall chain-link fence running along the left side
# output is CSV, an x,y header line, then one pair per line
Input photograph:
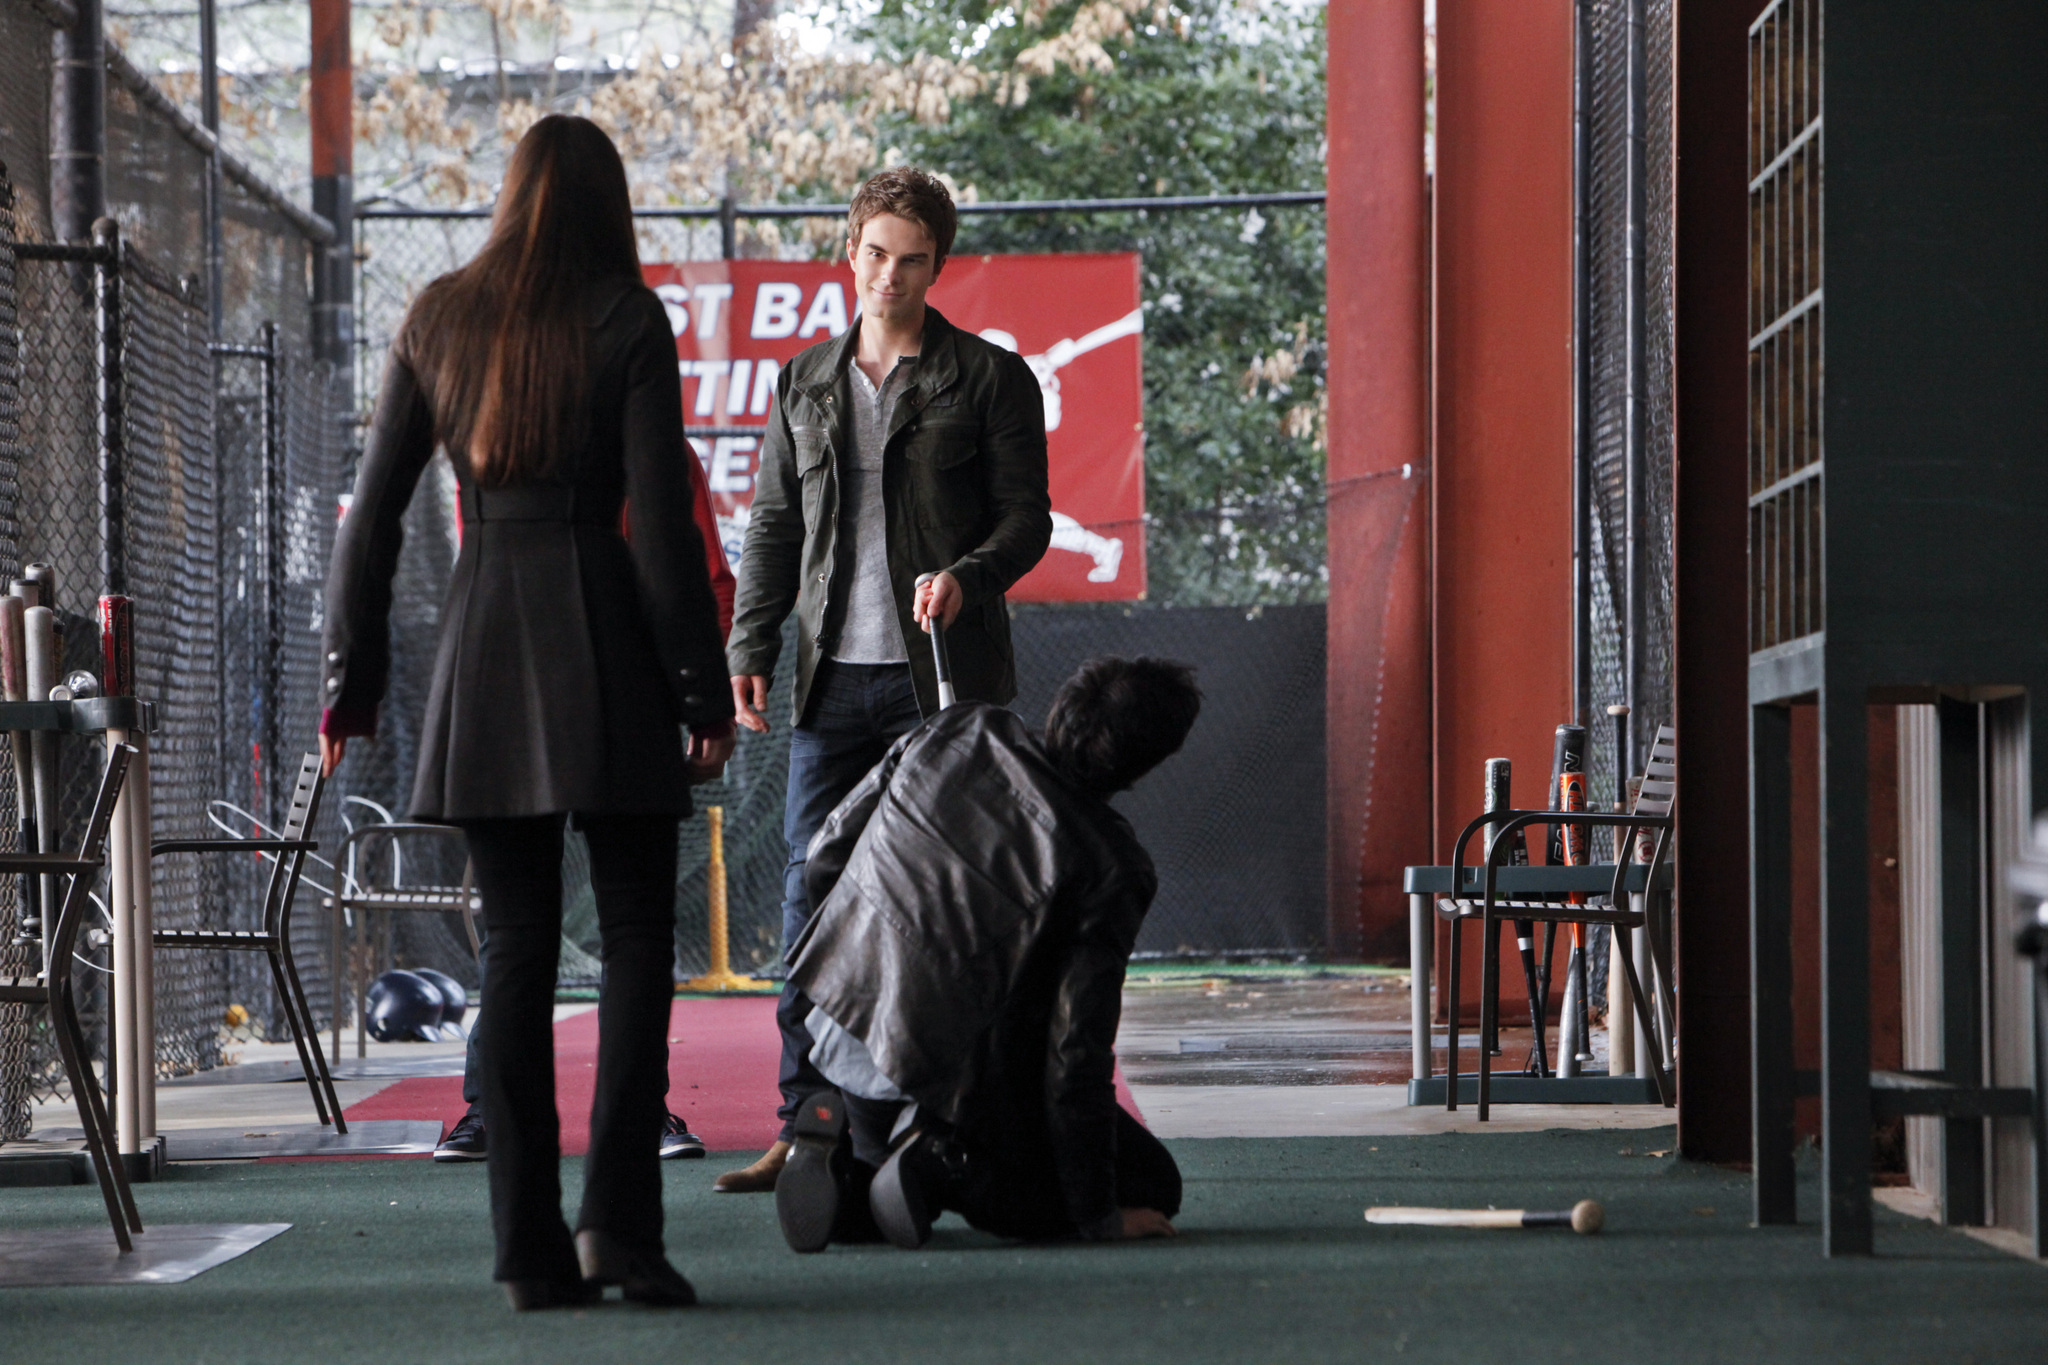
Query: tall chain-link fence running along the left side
x,y
226,455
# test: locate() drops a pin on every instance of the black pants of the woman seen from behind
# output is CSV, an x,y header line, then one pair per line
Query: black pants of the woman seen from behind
x,y
634,877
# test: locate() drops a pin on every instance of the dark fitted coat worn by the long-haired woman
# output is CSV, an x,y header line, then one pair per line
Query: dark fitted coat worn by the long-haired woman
x,y
568,654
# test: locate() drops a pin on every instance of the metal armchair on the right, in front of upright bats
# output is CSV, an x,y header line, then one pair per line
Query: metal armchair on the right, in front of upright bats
x,y
1625,912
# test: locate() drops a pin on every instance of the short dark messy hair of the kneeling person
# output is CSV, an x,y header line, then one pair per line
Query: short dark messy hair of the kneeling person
x,y
1117,719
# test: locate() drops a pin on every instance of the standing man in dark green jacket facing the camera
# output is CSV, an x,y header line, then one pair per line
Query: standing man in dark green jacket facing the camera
x,y
904,447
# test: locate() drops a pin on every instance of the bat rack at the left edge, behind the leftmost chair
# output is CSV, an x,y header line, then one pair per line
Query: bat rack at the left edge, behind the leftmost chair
x,y
132,987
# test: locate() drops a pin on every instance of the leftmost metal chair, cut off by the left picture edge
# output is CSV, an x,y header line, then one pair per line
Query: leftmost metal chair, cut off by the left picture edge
x,y
52,989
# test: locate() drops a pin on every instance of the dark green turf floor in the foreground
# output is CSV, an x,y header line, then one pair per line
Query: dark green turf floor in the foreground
x,y
390,1264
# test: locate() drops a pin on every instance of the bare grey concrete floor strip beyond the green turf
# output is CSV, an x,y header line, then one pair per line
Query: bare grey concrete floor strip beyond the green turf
x,y
1205,1059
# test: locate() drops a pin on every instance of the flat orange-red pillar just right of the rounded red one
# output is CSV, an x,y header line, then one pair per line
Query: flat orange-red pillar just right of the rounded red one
x,y
1502,396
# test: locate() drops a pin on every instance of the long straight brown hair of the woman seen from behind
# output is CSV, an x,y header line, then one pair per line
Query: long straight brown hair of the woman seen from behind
x,y
501,343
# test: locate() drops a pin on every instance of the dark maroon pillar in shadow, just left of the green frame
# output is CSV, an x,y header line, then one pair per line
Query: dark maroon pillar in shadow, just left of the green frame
x,y
1711,580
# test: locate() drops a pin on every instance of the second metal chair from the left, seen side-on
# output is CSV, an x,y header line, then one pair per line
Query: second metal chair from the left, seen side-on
x,y
273,940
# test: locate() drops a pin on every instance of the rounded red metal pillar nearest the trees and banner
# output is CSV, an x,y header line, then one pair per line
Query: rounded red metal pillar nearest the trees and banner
x,y
1379,533
